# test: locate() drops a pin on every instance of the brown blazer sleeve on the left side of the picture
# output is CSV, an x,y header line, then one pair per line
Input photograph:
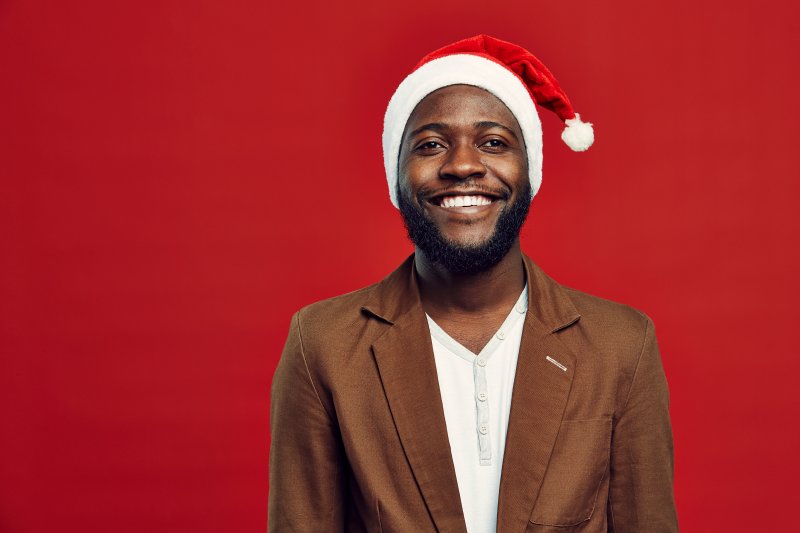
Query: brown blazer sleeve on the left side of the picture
x,y
306,462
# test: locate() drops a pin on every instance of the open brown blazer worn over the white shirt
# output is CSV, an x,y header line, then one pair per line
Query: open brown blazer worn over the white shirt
x,y
359,441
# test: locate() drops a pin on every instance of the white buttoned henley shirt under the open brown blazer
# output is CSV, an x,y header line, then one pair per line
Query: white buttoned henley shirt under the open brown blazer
x,y
476,396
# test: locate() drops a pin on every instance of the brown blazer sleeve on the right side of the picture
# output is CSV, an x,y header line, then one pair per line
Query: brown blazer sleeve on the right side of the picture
x,y
640,496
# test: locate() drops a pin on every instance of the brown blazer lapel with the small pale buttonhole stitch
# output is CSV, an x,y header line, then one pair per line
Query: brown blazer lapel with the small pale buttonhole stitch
x,y
541,391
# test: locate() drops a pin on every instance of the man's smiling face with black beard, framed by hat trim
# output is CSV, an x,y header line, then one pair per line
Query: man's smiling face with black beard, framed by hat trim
x,y
463,188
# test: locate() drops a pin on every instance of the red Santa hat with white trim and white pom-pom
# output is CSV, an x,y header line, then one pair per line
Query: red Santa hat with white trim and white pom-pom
x,y
506,70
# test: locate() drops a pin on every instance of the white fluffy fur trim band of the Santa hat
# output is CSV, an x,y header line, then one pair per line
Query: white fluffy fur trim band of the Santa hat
x,y
457,69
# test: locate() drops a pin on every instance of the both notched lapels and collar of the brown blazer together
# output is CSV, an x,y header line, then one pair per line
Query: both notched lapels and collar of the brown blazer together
x,y
404,356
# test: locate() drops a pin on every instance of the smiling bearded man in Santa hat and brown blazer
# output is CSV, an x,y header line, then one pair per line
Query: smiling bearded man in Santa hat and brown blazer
x,y
468,391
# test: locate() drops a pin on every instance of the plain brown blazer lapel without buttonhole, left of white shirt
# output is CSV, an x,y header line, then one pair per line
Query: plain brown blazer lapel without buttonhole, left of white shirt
x,y
404,356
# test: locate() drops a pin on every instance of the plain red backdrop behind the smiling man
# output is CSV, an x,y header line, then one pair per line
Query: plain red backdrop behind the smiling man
x,y
179,177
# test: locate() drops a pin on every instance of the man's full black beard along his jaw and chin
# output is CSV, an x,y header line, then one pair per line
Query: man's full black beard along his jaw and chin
x,y
458,258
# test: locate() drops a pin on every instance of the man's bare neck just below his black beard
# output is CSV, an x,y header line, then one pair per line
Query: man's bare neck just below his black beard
x,y
485,293
